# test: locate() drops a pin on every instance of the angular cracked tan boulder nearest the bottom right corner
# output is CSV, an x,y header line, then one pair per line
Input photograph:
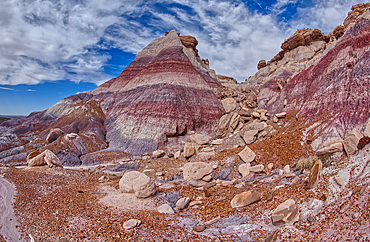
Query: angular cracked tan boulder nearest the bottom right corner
x,y
286,213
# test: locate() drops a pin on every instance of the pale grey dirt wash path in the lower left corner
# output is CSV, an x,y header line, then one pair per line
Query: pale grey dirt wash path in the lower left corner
x,y
8,231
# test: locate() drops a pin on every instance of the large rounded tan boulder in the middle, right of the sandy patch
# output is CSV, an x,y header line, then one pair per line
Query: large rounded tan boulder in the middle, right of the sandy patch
x,y
197,173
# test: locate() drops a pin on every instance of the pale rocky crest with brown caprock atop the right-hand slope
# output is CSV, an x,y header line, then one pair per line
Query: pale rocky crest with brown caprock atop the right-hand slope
x,y
303,49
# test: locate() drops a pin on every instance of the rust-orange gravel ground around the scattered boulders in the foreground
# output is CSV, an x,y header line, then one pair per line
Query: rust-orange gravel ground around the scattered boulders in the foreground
x,y
71,205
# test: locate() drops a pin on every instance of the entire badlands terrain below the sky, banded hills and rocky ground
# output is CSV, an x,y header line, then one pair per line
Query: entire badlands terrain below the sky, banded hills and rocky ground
x,y
171,151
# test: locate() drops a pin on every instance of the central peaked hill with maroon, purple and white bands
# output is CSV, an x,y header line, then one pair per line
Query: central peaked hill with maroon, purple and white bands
x,y
166,91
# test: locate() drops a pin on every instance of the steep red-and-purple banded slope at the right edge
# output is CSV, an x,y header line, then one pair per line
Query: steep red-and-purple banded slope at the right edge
x,y
334,92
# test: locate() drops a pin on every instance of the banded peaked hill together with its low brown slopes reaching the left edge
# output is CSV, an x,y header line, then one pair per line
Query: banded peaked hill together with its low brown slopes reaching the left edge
x,y
163,94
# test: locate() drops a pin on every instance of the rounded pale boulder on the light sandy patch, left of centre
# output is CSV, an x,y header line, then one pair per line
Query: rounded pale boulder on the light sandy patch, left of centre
x,y
138,183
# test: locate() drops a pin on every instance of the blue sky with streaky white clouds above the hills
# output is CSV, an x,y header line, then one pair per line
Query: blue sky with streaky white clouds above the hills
x,y
51,49
